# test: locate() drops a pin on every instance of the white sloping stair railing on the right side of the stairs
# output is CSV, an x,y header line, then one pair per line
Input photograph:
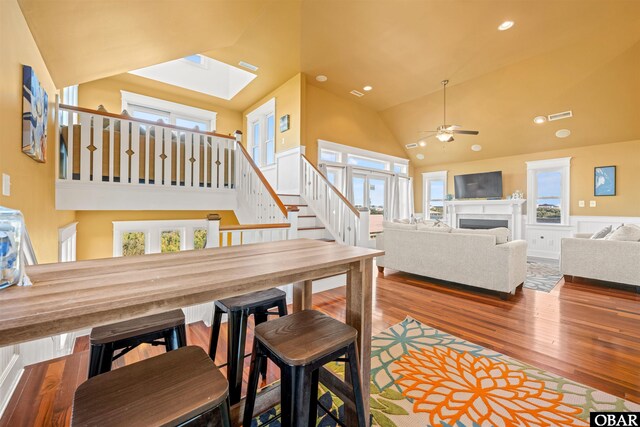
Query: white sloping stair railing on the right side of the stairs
x,y
343,220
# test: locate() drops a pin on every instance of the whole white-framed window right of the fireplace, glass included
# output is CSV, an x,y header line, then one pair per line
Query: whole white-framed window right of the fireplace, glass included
x,y
548,189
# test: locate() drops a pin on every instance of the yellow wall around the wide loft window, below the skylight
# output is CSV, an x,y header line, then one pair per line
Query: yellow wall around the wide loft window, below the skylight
x,y
107,92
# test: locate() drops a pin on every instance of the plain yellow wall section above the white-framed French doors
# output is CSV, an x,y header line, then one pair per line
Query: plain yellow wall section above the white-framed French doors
x,y
337,119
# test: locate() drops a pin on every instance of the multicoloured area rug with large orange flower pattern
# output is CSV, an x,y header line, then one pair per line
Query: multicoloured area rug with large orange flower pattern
x,y
424,377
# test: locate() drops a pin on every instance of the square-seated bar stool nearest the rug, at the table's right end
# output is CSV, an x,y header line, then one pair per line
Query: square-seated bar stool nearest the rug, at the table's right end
x,y
300,344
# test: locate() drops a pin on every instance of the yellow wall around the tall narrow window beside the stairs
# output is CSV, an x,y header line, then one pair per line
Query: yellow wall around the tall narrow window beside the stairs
x,y
289,100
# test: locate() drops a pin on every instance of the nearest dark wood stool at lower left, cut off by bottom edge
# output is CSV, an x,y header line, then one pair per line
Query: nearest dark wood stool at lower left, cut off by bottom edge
x,y
181,387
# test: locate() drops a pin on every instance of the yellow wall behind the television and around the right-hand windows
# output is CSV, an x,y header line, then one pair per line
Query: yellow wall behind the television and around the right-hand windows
x,y
624,155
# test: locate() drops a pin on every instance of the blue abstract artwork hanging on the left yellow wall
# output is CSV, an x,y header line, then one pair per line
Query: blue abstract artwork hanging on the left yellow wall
x,y
35,109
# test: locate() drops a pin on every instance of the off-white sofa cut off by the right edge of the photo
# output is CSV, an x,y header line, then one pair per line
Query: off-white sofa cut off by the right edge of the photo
x,y
600,259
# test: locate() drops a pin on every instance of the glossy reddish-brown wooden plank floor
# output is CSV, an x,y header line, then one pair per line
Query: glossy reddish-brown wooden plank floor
x,y
587,332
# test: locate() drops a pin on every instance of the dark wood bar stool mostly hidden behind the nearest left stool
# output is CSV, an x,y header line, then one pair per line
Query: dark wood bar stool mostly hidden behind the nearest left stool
x,y
166,329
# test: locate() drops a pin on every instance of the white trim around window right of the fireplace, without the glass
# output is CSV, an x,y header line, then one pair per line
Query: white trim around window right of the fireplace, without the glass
x,y
562,165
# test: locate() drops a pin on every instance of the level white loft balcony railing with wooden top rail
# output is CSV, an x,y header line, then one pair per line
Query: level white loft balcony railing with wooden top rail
x,y
100,147
